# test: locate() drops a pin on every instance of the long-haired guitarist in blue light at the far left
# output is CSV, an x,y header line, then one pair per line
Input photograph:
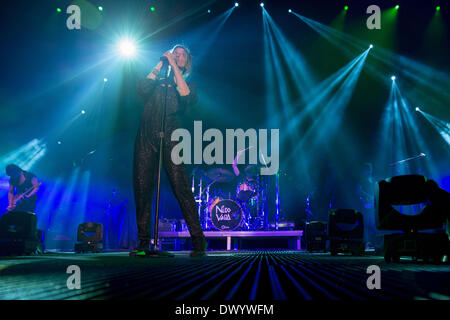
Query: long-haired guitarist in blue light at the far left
x,y
23,186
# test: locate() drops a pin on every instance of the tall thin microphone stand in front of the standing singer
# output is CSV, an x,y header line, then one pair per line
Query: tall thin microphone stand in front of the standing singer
x,y
155,247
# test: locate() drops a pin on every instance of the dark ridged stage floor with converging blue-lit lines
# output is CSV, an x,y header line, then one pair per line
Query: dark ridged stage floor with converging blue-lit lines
x,y
221,275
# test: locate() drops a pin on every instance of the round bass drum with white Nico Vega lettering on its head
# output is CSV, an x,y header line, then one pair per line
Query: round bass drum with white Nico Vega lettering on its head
x,y
225,215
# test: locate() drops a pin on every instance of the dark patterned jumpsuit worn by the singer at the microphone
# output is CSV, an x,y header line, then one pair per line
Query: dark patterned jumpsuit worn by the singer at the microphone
x,y
146,155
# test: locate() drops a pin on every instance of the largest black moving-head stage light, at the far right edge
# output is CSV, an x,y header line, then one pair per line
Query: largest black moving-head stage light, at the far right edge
x,y
429,201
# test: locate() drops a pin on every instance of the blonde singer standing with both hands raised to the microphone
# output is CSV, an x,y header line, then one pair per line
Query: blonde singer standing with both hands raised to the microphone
x,y
166,95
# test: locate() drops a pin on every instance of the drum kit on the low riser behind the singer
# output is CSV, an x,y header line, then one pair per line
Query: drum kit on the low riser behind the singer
x,y
228,202
